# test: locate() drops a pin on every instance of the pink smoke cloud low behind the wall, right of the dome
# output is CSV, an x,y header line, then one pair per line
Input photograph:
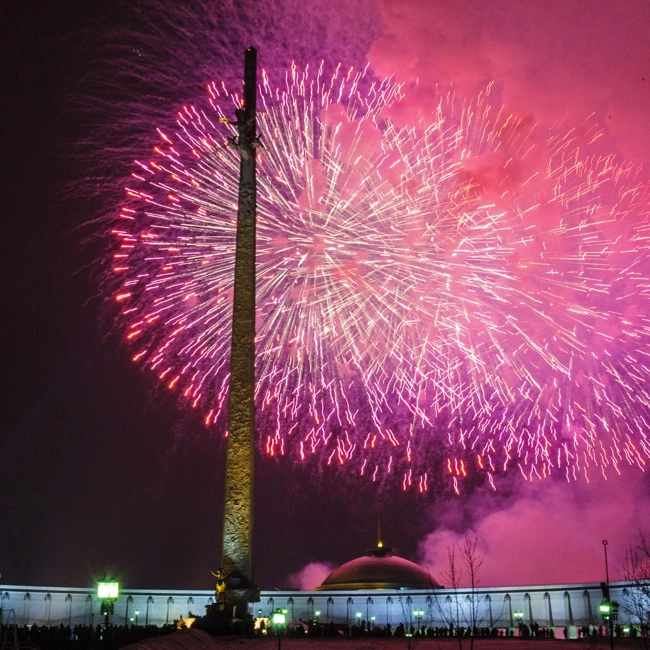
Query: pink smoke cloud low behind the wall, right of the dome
x,y
550,534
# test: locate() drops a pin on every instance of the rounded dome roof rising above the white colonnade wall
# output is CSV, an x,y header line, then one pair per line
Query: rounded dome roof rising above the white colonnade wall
x,y
379,569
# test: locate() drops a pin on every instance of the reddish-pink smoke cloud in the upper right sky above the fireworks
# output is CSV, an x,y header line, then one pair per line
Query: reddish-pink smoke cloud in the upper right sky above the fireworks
x,y
552,59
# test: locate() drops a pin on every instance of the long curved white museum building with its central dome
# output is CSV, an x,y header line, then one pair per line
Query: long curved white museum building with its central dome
x,y
375,589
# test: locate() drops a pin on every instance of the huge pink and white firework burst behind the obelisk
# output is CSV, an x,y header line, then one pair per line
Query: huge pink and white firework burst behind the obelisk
x,y
463,286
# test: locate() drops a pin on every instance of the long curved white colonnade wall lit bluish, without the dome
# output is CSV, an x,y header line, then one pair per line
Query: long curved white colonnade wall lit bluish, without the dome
x,y
549,605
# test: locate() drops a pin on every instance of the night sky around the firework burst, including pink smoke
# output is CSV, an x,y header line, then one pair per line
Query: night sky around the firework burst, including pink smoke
x,y
101,473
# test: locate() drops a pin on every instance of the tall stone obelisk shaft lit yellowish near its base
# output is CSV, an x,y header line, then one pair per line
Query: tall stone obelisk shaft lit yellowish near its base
x,y
238,509
